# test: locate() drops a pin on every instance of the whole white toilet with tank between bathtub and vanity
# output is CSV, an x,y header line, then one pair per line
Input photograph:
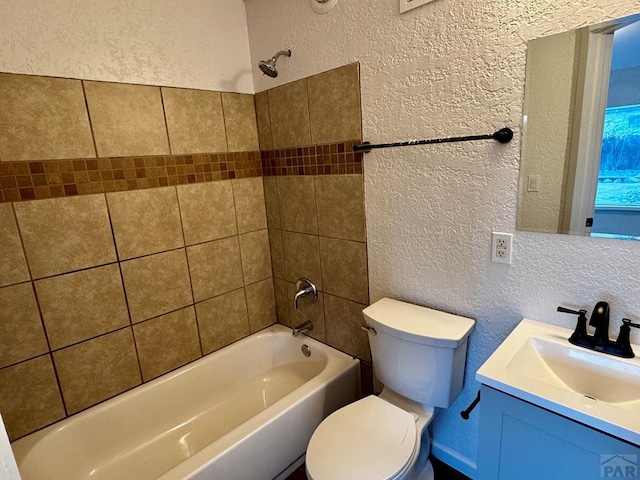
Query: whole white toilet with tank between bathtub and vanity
x,y
419,355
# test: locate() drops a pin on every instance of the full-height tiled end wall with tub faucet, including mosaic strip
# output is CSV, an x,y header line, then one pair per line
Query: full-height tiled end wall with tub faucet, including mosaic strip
x,y
314,193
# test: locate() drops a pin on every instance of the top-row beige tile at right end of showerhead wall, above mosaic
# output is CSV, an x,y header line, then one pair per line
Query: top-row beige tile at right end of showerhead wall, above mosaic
x,y
334,105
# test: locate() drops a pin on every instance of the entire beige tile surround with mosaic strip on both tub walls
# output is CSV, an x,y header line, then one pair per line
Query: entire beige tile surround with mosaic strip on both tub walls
x,y
159,251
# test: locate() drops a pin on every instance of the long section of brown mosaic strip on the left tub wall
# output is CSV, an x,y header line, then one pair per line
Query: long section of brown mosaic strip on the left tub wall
x,y
65,178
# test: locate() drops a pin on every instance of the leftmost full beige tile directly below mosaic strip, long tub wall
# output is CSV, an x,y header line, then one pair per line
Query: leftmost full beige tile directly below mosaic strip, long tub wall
x,y
65,234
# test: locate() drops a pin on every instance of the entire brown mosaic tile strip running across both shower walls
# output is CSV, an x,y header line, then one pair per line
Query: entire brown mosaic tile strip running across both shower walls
x,y
65,178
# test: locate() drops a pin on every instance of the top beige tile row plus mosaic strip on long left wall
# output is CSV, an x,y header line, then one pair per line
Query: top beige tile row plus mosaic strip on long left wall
x,y
64,137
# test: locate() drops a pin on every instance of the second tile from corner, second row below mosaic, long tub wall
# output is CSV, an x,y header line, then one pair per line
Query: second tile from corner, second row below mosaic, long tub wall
x,y
215,268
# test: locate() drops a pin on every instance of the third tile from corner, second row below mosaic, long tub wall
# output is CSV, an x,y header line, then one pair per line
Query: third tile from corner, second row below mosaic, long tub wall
x,y
156,284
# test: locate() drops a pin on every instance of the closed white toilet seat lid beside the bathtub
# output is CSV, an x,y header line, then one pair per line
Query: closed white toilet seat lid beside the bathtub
x,y
370,439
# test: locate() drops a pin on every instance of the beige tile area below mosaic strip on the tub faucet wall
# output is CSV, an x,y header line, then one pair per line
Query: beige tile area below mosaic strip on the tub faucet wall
x,y
317,231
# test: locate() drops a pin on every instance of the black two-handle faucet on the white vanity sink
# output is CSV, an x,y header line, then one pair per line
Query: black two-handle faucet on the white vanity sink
x,y
600,341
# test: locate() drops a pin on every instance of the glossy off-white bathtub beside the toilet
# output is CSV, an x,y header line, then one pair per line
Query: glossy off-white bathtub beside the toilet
x,y
245,412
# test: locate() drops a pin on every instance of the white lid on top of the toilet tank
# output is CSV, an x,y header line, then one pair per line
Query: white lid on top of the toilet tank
x,y
419,324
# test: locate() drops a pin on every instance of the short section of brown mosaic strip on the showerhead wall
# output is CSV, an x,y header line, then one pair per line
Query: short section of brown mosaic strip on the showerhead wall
x,y
331,159
